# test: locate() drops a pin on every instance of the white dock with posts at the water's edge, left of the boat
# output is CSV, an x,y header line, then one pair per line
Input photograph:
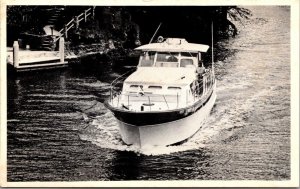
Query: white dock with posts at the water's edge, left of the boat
x,y
27,60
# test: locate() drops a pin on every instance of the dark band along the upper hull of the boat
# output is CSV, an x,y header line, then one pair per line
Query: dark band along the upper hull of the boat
x,y
157,117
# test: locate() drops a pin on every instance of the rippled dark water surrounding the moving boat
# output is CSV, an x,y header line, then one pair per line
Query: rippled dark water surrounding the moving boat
x,y
59,129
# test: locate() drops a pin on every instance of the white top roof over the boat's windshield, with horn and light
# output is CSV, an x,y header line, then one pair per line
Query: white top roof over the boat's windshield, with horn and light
x,y
174,45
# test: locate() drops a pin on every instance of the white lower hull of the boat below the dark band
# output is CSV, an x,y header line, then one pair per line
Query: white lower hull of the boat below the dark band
x,y
166,133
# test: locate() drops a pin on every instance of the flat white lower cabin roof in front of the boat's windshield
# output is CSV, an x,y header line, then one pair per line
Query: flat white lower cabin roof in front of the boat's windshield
x,y
162,76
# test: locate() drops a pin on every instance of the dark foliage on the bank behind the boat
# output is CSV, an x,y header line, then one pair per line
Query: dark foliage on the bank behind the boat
x,y
127,24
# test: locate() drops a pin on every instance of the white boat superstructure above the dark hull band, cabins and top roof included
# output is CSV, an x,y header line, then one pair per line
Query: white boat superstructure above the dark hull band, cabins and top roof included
x,y
167,77
